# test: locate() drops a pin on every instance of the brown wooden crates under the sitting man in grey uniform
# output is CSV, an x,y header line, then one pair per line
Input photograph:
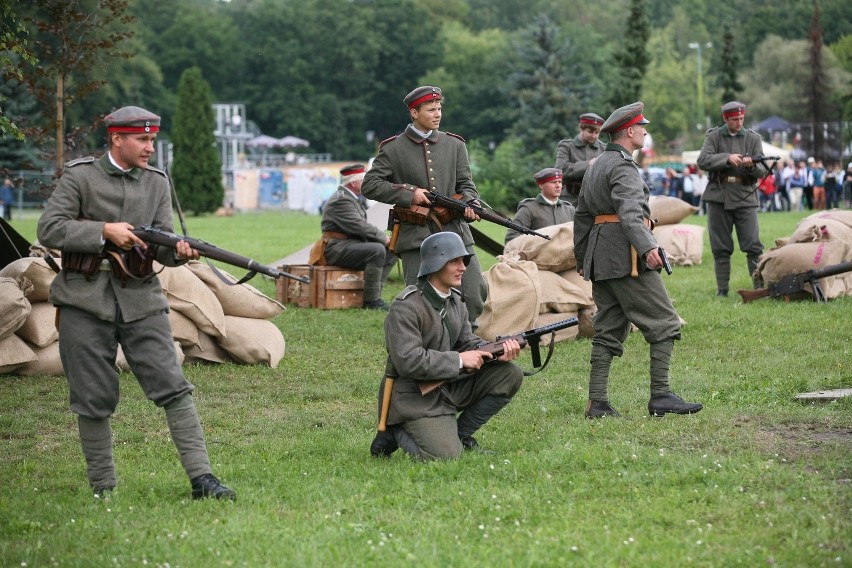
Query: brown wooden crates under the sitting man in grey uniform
x,y
331,287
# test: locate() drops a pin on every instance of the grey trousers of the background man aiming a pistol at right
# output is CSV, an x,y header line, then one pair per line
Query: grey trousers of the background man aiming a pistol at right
x,y
720,224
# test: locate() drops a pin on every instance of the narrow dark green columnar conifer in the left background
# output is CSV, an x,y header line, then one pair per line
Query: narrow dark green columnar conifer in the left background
x,y
196,170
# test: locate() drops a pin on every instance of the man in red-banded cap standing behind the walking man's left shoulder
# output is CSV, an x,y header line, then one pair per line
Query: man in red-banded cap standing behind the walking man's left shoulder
x,y
574,156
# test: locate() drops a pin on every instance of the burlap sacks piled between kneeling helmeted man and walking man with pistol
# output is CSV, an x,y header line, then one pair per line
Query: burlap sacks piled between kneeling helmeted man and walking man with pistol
x,y
535,283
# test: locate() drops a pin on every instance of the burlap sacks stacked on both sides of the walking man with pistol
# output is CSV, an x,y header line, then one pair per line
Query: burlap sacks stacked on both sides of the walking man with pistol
x,y
535,282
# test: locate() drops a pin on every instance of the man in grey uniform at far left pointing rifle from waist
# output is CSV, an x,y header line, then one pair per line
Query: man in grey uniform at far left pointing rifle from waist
x,y
98,202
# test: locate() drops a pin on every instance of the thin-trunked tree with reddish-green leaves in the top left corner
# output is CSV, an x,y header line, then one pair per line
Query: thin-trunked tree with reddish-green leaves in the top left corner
x,y
73,36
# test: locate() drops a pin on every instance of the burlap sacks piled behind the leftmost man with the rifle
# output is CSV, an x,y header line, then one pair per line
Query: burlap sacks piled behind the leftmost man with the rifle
x,y
211,321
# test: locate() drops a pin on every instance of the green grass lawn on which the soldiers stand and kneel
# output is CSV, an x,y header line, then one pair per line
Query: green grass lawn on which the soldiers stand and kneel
x,y
756,478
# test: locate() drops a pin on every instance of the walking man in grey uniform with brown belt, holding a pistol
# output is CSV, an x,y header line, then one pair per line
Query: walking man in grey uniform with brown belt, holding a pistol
x,y
616,250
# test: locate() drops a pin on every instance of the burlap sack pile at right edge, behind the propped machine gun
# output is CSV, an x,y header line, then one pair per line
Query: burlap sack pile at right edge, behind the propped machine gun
x,y
820,240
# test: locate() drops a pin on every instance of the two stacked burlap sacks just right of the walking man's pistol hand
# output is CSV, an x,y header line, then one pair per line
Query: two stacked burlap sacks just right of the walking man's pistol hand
x,y
684,243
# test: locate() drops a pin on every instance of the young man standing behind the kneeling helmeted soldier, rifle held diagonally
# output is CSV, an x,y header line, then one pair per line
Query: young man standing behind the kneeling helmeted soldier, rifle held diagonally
x,y
421,159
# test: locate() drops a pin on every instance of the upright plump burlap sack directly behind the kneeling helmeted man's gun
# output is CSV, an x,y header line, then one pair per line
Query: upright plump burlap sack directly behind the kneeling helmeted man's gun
x,y
514,294
